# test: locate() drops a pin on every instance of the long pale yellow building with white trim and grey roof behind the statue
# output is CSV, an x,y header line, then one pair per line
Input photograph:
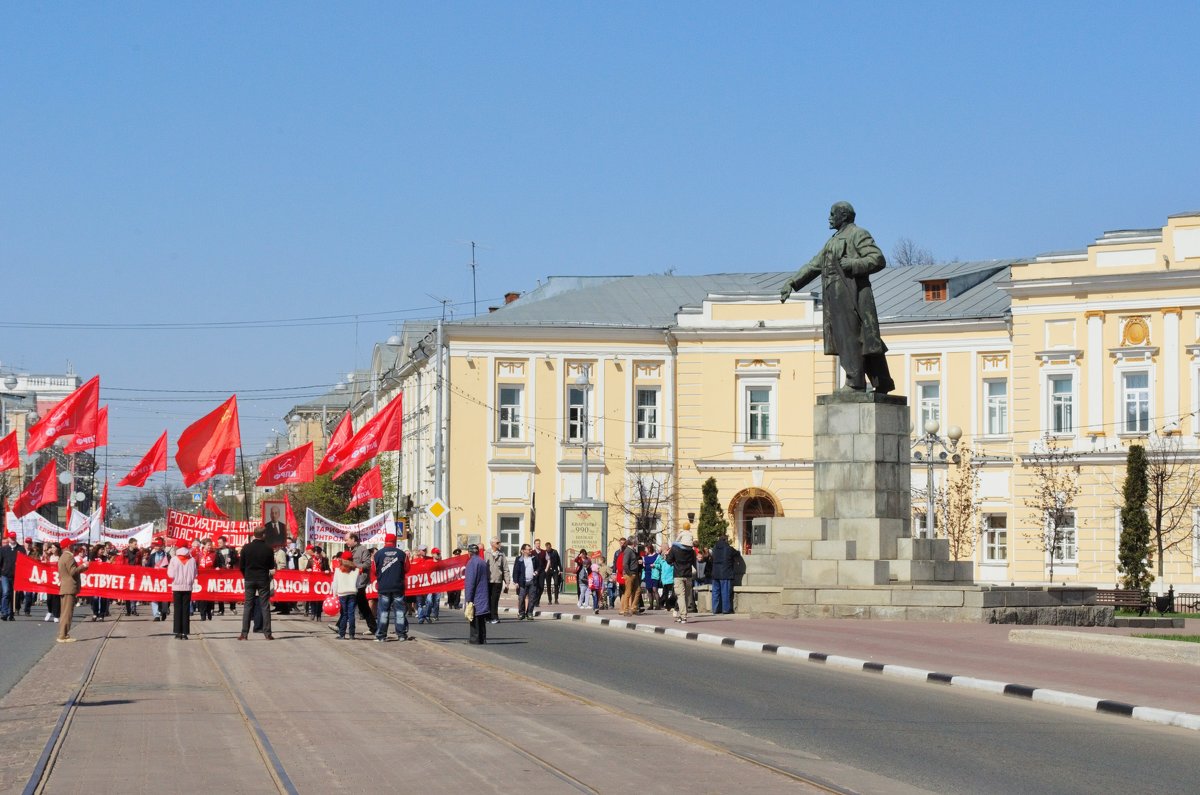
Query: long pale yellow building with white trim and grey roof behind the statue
x,y
673,380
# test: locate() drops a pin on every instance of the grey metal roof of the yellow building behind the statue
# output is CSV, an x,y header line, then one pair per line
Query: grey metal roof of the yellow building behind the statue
x,y
653,301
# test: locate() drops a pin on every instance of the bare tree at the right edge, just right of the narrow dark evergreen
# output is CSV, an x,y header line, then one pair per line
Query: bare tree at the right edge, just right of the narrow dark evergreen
x,y
1174,493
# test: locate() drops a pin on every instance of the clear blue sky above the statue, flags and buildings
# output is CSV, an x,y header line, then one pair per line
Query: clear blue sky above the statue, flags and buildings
x,y
209,163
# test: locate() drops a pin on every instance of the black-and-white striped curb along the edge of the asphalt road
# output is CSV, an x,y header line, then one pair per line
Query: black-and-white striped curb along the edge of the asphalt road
x,y
1040,695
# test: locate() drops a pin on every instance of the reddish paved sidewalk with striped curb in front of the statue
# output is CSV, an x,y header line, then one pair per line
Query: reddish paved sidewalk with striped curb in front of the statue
x,y
973,651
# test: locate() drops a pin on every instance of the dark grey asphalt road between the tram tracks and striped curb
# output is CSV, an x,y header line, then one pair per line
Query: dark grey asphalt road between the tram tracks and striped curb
x,y
857,731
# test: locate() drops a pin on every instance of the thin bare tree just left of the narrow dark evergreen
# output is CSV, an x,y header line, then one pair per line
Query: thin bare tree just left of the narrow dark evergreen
x,y
1055,487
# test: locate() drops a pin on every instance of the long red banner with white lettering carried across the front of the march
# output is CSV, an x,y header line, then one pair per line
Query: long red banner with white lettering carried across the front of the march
x,y
146,584
